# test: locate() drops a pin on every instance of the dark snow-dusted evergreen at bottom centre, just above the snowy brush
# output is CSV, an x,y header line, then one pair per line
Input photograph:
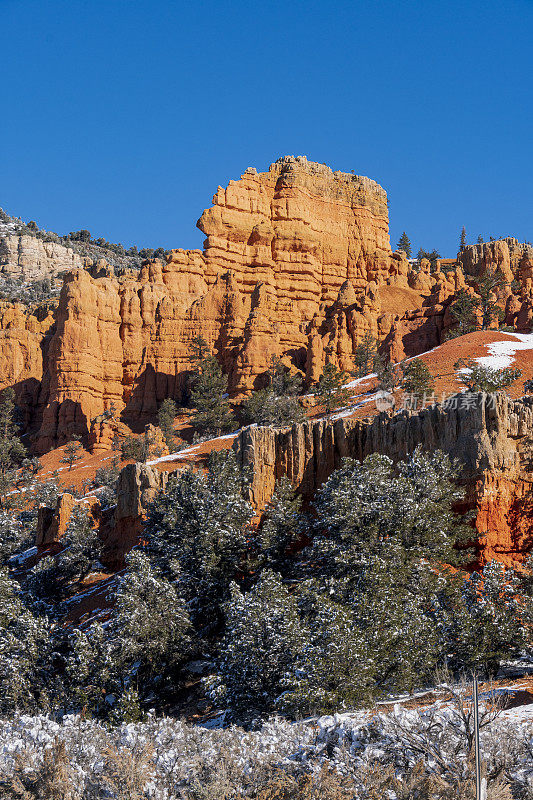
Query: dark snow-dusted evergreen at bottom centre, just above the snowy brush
x,y
264,638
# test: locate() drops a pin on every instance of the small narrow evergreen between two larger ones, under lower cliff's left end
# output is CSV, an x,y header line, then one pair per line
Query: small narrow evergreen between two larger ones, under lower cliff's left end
x,y
282,524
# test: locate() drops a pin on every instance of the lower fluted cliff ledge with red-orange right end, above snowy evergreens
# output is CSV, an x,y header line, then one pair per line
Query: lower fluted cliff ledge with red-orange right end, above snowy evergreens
x,y
491,436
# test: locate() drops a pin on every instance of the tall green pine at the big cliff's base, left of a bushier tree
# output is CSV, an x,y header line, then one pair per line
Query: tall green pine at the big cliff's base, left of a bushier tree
x,y
208,395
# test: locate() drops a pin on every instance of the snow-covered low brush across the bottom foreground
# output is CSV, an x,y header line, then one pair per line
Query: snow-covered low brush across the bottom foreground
x,y
178,752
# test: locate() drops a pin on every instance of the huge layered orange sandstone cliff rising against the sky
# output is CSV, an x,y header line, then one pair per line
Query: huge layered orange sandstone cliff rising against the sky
x,y
297,263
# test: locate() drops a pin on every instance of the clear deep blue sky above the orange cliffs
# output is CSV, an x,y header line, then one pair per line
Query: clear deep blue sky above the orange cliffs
x,y
123,116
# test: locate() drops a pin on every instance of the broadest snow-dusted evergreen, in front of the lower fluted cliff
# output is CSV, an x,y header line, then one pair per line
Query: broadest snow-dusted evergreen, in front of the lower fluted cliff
x,y
379,531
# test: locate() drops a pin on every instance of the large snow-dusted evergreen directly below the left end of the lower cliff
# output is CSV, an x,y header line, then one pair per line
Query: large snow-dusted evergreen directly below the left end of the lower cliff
x,y
196,531
